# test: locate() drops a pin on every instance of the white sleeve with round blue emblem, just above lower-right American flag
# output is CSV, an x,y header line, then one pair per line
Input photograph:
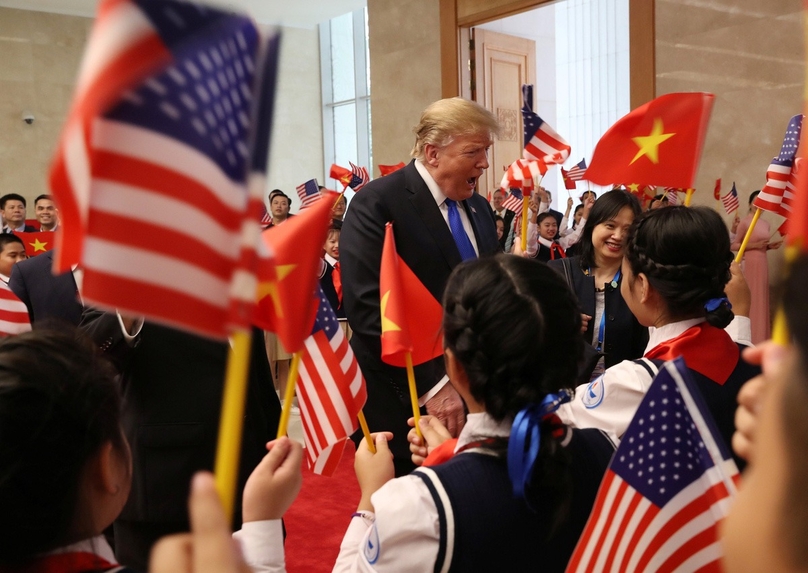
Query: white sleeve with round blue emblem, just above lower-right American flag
x,y
610,401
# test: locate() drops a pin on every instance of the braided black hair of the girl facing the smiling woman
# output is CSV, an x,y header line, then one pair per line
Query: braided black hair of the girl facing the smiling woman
x,y
684,252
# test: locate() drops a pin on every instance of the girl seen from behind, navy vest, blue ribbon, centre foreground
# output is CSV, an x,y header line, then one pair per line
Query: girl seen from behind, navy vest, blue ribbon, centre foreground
x,y
517,492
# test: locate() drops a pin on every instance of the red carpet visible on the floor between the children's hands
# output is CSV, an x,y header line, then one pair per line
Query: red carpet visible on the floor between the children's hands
x,y
319,517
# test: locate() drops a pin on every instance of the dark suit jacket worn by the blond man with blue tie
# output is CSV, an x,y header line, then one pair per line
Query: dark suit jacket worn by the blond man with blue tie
x,y
423,241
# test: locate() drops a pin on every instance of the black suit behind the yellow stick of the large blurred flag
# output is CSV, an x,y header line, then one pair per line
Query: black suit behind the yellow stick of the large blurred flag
x,y
172,383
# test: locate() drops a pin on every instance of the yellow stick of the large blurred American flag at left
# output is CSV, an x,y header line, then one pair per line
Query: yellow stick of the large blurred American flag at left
x,y
232,418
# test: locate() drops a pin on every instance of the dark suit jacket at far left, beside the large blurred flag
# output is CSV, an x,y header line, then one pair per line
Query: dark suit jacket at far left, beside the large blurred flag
x,y
47,297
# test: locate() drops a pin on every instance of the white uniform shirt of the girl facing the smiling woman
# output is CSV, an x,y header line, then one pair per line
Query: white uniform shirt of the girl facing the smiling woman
x,y
610,401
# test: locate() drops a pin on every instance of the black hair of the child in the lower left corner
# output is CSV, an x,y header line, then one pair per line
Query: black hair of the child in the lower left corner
x,y
59,403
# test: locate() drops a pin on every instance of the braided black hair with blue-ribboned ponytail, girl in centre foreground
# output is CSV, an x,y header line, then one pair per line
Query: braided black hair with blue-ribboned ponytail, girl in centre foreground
x,y
514,326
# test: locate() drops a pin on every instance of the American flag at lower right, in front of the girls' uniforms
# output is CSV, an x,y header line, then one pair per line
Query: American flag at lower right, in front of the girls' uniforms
x,y
669,485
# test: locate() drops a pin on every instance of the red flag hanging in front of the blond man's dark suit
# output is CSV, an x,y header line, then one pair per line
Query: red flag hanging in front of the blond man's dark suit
x,y
411,317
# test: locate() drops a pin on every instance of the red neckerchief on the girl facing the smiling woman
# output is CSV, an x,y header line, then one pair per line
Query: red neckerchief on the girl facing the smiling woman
x,y
706,349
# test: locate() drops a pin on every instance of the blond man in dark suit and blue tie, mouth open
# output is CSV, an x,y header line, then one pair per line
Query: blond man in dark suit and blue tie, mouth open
x,y
438,219
